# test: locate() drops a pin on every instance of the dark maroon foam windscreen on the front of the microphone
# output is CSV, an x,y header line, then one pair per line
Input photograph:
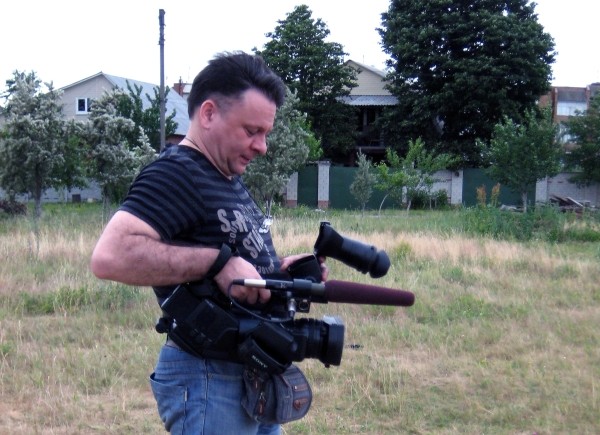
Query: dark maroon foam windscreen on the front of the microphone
x,y
355,293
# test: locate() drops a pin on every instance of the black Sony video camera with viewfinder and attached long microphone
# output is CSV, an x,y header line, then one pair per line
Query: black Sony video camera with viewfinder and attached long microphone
x,y
204,322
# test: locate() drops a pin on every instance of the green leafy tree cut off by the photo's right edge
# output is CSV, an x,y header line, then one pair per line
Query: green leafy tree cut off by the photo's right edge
x,y
584,130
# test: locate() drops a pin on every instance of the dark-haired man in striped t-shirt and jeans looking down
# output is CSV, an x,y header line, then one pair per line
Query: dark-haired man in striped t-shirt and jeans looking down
x,y
183,219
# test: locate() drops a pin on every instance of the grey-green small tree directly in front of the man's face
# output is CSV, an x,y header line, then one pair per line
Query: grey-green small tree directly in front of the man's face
x,y
287,152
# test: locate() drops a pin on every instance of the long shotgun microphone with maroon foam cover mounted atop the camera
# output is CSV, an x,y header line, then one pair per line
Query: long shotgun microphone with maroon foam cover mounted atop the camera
x,y
336,291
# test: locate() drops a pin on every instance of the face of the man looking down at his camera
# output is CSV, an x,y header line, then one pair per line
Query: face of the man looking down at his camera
x,y
239,133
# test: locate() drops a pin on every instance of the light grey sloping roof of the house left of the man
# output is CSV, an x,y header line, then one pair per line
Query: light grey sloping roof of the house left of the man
x,y
174,100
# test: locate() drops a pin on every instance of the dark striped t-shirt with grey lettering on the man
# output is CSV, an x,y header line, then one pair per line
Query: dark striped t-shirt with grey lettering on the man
x,y
189,202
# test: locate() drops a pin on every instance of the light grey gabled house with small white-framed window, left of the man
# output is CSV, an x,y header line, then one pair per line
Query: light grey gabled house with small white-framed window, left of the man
x,y
79,96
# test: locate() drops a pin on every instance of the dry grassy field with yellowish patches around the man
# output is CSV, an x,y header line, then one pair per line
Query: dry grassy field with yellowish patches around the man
x,y
503,337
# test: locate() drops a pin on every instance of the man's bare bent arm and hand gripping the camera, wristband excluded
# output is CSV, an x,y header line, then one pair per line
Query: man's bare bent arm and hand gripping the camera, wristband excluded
x,y
131,251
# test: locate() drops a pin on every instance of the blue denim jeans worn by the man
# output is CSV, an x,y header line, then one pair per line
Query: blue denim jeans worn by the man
x,y
202,396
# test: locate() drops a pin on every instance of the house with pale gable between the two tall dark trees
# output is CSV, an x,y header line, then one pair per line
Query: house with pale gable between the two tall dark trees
x,y
370,97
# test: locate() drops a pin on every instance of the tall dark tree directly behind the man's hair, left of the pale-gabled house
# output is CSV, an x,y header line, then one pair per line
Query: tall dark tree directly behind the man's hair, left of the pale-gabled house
x,y
315,69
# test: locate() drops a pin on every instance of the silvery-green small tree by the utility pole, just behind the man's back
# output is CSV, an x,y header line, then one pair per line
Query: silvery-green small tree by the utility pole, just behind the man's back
x,y
113,159
